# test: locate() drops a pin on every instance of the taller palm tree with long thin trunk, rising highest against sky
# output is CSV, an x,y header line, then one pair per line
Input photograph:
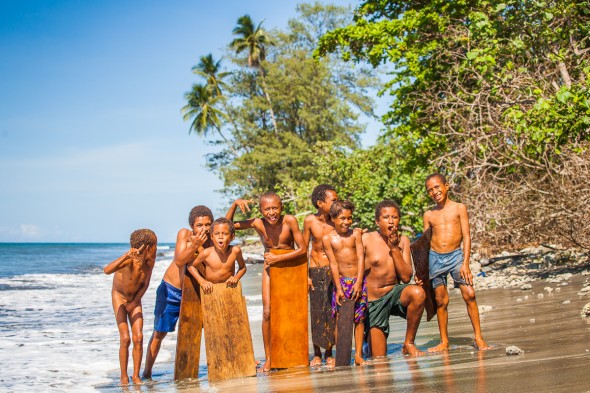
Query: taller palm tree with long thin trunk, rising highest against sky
x,y
253,39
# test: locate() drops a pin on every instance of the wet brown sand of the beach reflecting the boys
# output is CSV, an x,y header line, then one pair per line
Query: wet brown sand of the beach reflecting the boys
x,y
556,341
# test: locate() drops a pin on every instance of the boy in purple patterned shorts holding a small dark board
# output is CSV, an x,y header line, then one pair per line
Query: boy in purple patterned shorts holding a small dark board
x,y
344,248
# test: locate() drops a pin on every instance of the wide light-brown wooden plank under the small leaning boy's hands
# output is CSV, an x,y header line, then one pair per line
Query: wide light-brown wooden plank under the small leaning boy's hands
x,y
228,341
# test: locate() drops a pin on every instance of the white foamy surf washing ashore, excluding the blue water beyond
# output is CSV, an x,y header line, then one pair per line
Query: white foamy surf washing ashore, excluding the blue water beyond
x,y
58,332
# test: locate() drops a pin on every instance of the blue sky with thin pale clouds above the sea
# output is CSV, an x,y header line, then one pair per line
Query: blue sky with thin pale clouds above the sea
x,y
92,141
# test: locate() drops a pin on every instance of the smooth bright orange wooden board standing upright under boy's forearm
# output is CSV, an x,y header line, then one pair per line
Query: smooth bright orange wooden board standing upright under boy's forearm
x,y
289,345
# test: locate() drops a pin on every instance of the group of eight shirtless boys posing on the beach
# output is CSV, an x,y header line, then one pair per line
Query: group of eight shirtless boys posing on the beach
x,y
374,269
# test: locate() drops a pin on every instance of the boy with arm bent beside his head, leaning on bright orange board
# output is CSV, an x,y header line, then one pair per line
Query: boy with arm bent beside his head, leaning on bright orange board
x,y
276,231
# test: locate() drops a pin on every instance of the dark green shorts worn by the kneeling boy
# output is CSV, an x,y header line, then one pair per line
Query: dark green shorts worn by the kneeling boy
x,y
379,310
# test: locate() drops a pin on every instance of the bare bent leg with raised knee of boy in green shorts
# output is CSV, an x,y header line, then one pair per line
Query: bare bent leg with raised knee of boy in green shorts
x,y
412,298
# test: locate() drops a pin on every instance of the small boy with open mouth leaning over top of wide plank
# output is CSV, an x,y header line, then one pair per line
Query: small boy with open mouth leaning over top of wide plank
x,y
219,260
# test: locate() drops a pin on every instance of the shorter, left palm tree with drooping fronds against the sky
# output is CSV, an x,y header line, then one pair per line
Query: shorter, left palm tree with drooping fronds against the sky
x,y
201,108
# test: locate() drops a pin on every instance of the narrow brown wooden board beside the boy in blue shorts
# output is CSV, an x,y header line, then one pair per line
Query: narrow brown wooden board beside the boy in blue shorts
x,y
188,342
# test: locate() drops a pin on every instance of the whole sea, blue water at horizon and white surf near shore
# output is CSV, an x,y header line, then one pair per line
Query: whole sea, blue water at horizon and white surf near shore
x,y
57,327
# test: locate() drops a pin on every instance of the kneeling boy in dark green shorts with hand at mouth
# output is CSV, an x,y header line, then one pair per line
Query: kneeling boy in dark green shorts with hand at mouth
x,y
389,270
